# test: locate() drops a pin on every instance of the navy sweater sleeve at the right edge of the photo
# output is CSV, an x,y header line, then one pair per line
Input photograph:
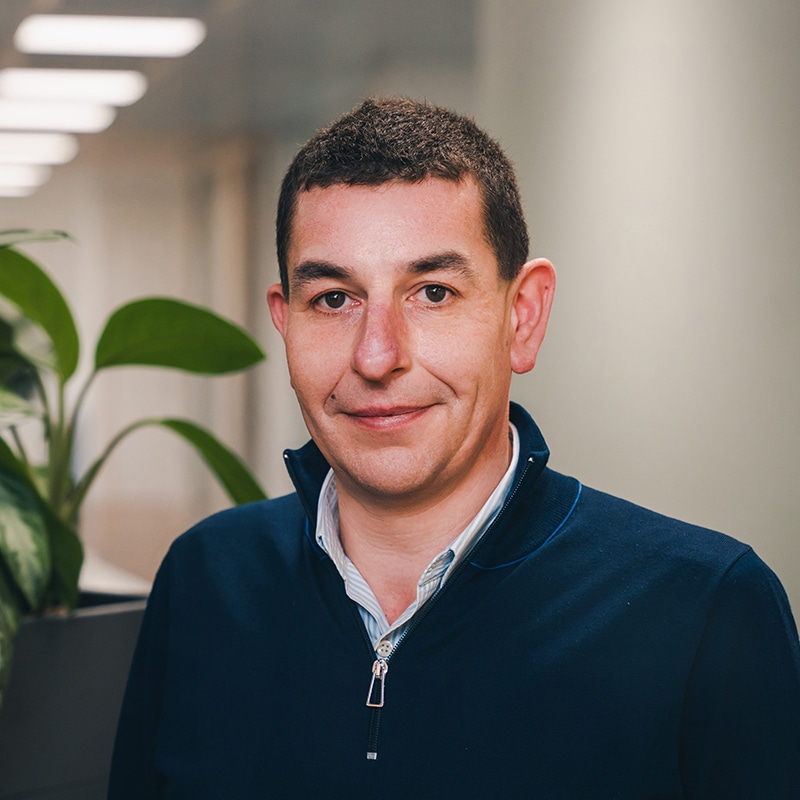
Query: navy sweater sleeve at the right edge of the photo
x,y
741,717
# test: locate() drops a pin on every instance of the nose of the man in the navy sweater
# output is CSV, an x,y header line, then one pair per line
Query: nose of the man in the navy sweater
x,y
381,349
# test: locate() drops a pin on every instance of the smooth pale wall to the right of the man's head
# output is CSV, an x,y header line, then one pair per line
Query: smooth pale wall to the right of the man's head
x,y
657,147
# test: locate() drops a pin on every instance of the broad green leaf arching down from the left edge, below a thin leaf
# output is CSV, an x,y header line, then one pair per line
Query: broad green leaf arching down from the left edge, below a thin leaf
x,y
26,285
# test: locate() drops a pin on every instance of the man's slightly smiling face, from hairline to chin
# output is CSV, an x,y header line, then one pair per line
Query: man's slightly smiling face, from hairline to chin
x,y
397,334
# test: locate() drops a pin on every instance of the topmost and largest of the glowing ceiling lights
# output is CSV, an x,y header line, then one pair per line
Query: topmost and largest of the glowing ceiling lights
x,y
77,34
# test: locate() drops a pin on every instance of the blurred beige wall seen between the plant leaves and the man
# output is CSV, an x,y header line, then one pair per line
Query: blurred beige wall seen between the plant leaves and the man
x,y
162,216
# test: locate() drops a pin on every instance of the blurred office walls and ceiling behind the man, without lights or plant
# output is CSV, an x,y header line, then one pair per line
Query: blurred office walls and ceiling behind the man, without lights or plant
x,y
658,148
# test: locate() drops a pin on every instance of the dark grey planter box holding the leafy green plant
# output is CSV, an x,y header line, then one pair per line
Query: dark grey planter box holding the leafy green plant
x,y
59,715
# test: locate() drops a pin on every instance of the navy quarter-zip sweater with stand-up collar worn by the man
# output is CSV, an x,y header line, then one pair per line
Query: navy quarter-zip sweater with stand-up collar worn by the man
x,y
587,648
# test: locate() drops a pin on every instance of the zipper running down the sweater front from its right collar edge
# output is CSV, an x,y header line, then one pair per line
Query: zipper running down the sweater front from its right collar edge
x,y
376,694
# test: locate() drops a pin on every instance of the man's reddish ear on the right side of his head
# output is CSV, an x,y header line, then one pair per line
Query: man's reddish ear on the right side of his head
x,y
532,299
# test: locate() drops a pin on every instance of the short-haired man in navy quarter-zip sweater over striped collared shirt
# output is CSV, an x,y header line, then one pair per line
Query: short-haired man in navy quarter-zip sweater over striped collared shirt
x,y
435,613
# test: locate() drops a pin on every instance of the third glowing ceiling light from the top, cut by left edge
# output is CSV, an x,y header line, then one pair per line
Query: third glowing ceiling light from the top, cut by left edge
x,y
43,116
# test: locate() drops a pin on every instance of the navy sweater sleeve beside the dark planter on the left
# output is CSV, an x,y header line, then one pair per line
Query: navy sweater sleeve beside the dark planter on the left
x,y
133,773
